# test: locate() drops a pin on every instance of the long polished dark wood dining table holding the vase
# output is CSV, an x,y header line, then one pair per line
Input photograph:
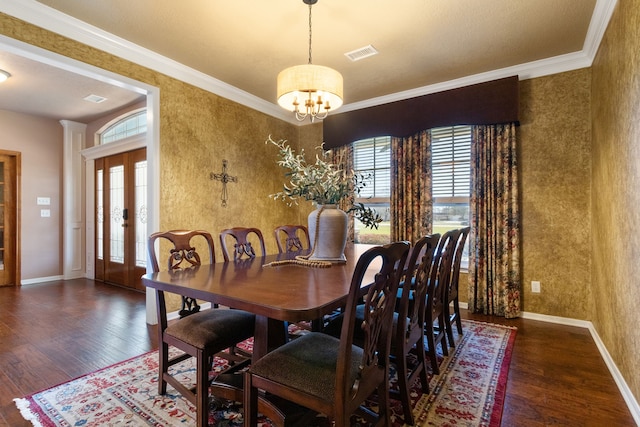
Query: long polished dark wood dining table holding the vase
x,y
274,291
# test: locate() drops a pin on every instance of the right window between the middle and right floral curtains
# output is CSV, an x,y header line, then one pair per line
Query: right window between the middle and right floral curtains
x,y
451,166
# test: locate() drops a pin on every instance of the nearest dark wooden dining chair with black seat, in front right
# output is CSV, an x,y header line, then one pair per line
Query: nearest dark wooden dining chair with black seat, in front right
x,y
331,375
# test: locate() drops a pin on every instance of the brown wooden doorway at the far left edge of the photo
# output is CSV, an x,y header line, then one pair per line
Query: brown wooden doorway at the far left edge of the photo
x,y
9,230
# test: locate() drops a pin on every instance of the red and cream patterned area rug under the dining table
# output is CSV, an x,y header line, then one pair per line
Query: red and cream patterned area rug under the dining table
x,y
469,391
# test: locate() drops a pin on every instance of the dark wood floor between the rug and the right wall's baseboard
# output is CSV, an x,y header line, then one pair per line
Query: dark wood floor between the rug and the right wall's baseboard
x,y
557,377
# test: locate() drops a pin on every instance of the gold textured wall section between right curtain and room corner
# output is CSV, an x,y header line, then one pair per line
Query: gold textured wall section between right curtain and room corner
x,y
555,165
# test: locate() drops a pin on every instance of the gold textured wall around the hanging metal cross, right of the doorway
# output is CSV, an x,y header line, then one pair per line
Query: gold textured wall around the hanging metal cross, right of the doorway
x,y
198,131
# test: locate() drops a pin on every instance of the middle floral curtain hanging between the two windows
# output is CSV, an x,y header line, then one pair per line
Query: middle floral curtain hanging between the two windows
x,y
411,200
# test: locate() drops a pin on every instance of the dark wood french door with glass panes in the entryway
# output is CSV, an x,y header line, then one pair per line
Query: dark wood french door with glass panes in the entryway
x,y
121,217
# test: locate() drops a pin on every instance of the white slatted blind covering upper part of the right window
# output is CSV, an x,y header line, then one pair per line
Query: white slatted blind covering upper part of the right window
x,y
451,161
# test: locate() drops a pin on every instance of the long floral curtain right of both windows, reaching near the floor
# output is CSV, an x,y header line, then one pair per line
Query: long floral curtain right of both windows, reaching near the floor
x,y
494,244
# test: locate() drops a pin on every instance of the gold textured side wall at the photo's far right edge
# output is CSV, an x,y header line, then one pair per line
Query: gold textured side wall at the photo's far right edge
x,y
616,198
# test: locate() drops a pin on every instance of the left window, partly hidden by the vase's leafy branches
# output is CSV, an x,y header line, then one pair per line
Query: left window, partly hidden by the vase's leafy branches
x,y
372,157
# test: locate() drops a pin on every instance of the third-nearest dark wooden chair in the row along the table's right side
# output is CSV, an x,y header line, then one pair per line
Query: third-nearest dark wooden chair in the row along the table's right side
x,y
434,322
